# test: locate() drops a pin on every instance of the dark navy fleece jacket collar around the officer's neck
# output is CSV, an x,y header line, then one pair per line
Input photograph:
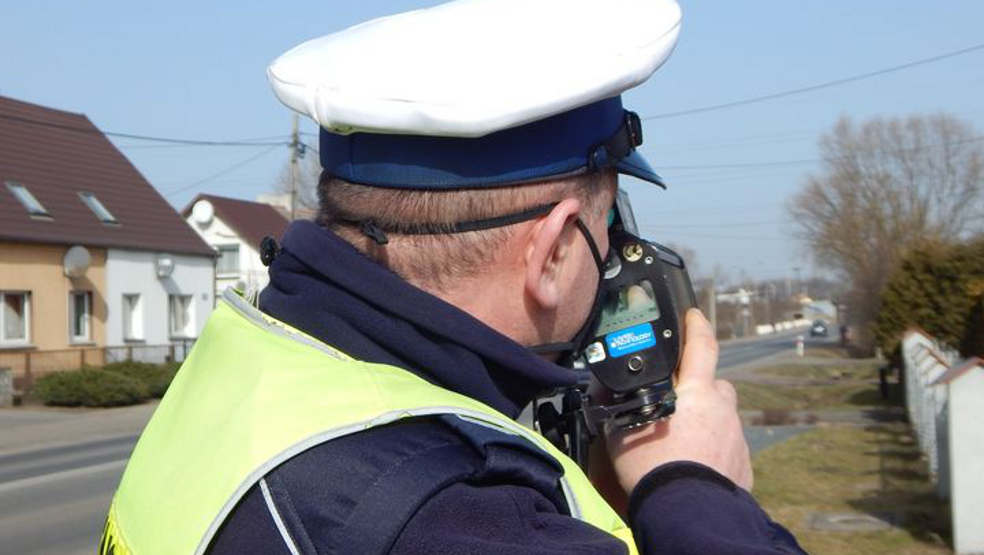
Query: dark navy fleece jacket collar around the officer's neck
x,y
322,285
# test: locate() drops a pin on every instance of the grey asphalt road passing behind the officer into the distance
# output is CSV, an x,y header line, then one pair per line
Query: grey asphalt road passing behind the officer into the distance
x,y
53,500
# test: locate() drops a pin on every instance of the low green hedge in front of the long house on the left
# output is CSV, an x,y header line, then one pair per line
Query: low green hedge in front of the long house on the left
x,y
115,384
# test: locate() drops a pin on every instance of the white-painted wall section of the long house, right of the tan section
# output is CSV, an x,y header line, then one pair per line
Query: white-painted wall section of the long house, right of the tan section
x,y
135,272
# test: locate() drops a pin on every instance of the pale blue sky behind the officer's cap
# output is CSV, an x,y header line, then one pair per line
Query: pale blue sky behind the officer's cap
x,y
197,70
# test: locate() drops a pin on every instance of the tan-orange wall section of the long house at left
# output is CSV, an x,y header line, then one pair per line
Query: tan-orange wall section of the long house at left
x,y
38,269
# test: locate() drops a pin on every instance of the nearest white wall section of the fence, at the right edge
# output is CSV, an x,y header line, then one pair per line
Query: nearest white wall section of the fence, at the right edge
x,y
966,444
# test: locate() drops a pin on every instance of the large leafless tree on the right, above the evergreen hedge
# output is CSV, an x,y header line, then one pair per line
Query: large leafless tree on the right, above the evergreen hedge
x,y
883,186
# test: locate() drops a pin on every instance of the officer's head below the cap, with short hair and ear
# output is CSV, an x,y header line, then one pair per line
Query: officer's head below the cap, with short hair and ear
x,y
533,280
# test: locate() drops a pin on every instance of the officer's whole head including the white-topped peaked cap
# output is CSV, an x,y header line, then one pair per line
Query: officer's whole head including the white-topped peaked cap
x,y
440,121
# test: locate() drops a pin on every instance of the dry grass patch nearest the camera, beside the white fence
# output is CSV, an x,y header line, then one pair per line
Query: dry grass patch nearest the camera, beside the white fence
x,y
849,469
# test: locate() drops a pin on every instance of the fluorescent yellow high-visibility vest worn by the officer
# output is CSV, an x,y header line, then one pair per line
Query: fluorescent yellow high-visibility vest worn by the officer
x,y
253,393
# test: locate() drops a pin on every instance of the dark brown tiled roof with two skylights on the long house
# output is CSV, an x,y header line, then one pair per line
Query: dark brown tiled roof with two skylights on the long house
x,y
56,155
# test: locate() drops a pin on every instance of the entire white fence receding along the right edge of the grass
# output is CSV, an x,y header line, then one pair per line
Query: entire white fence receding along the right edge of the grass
x,y
943,399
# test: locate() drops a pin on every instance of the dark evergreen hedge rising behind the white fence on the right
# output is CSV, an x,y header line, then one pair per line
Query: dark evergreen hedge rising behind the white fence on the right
x,y
939,288
